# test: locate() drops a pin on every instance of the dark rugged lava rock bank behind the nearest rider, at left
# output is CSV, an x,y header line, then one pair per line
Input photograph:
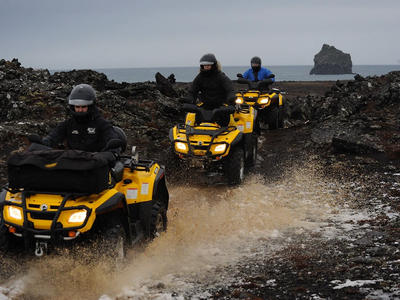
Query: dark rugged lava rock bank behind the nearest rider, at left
x,y
34,101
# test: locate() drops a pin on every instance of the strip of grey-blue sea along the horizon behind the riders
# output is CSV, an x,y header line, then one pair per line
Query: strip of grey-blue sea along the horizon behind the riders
x,y
282,73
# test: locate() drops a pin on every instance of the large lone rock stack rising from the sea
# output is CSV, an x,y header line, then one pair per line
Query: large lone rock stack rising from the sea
x,y
331,61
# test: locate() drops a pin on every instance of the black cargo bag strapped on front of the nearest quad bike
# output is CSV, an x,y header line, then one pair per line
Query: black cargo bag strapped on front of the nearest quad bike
x,y
59,170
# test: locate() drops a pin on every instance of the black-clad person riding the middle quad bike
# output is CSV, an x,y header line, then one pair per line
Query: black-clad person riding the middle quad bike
x,y
214,87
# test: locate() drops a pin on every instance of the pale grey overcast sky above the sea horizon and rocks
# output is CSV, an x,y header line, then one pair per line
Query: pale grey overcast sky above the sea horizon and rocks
x,y
79,34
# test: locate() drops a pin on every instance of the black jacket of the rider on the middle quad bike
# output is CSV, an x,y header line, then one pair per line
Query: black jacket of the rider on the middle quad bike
x,y
215,89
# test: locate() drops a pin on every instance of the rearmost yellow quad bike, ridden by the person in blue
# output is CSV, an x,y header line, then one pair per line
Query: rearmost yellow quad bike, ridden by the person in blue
x,y
269,103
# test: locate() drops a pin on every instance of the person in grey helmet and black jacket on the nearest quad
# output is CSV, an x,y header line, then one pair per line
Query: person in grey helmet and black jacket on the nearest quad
x,y
86,130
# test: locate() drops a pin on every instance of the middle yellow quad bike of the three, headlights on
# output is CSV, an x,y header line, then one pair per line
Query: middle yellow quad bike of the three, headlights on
x,y
205,145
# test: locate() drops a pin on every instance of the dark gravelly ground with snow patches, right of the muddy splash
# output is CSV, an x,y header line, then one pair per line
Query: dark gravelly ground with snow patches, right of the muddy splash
x,y
363,265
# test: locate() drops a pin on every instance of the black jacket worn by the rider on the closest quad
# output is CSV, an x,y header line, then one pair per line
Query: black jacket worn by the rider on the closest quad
x,y
90,135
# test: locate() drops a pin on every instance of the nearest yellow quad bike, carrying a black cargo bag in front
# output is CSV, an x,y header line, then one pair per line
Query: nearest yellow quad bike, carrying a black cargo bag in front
x,y
60,206
